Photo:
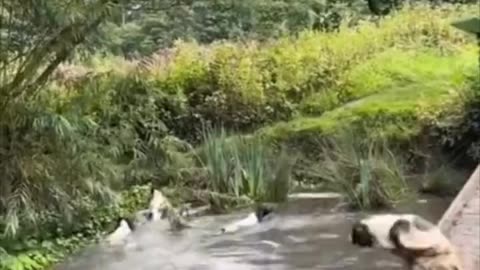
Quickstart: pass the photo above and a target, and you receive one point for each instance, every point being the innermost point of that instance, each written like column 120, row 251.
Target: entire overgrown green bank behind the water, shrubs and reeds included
column 353, row 105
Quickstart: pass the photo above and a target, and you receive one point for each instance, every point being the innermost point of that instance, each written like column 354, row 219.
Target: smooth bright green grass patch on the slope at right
column 389, row 93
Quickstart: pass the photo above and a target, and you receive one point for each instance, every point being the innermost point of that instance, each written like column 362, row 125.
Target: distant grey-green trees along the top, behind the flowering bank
column 144, row 27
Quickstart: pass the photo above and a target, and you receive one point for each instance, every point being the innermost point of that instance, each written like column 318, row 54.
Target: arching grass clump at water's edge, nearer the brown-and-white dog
column 365, row 171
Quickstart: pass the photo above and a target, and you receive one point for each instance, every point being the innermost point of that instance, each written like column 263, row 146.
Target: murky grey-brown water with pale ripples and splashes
column 292, row 240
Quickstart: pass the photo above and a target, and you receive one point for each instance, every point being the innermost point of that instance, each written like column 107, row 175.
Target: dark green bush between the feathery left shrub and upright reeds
column 131, row 113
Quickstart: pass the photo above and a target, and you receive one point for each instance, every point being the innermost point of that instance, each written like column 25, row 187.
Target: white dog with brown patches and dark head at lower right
column 419, row 243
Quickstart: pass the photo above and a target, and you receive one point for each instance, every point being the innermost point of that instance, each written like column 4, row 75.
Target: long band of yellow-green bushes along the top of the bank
column 243, row 86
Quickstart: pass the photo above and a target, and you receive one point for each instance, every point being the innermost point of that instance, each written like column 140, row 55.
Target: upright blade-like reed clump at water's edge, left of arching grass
column 245, row 167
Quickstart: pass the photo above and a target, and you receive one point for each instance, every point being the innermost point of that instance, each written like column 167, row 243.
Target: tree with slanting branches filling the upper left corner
column 37, row 35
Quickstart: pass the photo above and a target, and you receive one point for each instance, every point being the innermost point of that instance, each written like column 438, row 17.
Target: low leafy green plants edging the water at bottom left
column 36, row 252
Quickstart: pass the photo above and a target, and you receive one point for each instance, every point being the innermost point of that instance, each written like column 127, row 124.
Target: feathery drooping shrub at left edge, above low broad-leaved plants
column 49, row 165
